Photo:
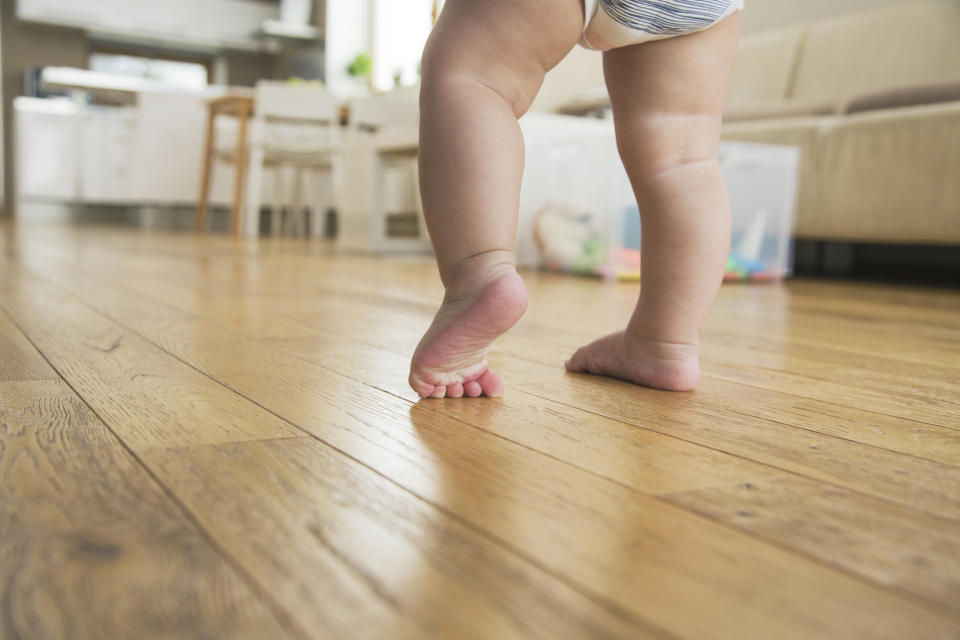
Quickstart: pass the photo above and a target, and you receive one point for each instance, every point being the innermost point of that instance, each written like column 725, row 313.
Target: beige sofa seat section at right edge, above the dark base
column 890, row 176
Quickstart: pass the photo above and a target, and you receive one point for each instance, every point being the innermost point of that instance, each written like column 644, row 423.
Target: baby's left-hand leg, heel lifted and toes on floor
column 482, row 67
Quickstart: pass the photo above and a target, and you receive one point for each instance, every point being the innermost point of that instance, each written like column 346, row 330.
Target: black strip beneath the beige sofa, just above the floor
column 937, row 265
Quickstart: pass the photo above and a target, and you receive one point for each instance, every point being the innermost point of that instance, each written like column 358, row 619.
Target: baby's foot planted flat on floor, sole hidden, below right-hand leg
column 652, row 363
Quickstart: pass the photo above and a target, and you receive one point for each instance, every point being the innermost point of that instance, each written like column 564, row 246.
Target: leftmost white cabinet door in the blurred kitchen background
column 47, row 156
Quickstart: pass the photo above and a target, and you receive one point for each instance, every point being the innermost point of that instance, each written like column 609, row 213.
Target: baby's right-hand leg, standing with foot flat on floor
column 667, row 98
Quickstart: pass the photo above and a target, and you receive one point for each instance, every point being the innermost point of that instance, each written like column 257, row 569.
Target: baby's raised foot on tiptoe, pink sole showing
column 451, row 359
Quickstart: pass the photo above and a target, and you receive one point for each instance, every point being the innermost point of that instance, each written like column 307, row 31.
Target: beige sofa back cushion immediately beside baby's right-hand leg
column 764, row 67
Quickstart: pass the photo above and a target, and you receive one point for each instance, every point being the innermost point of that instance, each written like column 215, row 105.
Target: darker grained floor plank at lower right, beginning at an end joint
column 912, row 552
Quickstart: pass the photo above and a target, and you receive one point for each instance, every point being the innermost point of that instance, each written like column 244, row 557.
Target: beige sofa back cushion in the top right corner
column 894, row 45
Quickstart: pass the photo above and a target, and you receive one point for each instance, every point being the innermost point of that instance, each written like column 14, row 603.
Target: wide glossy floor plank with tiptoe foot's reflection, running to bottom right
column 492, row 483
